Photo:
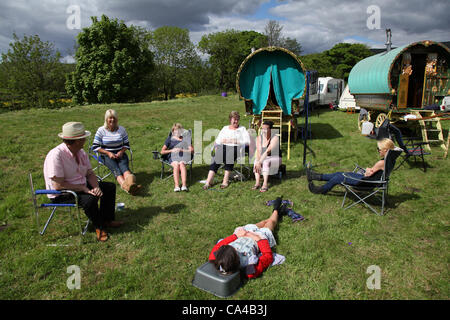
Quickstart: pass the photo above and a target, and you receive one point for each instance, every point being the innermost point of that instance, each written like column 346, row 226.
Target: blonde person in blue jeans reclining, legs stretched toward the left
column 373, row 174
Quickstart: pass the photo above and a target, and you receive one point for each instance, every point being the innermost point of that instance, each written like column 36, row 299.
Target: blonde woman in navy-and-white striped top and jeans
column 111, row 141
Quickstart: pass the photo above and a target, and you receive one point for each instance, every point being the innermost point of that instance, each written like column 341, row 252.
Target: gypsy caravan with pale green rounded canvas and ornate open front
column 406, row 81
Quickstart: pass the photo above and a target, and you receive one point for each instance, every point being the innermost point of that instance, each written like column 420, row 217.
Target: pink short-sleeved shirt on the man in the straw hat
column 61, row 163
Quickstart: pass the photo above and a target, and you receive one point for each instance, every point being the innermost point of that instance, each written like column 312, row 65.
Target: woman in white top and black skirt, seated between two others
column 228, row 146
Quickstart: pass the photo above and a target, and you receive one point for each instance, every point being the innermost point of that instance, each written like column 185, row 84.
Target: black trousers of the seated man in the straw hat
column 99, row 215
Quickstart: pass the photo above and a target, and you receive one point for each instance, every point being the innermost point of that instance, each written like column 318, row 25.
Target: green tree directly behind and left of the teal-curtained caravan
column 227, row 50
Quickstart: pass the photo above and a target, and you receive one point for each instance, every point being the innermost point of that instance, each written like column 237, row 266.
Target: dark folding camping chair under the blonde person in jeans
column 366, row 188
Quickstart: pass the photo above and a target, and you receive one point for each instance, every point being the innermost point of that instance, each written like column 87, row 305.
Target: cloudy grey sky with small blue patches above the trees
column 316, row 24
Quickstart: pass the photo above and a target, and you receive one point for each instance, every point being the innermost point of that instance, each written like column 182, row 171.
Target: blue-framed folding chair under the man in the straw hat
column 54, row 207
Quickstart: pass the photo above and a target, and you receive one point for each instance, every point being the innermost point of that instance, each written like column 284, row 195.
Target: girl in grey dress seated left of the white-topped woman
column 178, row 151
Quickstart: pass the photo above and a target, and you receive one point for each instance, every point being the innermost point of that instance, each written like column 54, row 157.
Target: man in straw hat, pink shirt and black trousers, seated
column 67, row 166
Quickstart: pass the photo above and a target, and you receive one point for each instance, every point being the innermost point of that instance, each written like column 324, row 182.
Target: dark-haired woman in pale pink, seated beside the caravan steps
column 268, row 156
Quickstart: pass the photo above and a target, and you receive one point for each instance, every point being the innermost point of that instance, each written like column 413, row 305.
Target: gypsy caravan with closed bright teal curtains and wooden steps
column 272, row 82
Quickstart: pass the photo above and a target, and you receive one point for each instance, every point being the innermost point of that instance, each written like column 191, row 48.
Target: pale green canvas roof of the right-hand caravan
column 373, row 74
